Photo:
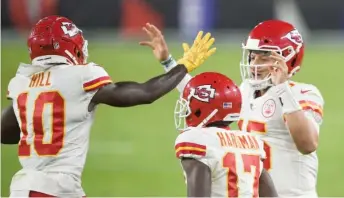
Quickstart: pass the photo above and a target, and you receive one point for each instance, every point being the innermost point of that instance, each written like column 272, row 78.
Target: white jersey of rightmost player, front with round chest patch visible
column 293, row 173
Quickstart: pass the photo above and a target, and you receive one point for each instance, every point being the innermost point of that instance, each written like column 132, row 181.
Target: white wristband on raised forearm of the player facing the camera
column 286, row 98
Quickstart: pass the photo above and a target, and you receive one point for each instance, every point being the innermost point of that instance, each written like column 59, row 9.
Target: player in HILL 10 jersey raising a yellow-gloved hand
column 54, row 99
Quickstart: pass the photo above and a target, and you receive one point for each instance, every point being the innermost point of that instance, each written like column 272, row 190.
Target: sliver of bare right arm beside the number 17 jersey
column 266, row 185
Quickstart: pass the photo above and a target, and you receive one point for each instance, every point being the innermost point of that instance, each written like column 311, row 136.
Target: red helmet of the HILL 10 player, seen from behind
column 56, row 39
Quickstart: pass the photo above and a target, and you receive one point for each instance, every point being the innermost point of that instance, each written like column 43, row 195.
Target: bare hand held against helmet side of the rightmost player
column 279, row 70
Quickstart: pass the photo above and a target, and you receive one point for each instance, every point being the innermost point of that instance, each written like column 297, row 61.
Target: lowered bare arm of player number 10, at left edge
column 10, row 131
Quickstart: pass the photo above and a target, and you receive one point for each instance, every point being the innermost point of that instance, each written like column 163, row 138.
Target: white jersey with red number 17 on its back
column 234, row 158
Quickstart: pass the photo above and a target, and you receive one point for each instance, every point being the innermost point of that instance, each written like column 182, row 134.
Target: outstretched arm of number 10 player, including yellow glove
column 126, row 94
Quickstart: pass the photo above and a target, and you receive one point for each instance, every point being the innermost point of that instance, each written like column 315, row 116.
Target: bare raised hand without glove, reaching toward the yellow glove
column 156, row 42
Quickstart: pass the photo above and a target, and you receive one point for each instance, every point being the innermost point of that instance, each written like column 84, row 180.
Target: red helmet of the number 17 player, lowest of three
column 208, row 97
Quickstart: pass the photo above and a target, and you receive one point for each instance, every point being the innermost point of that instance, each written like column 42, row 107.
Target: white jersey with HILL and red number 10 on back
column 51, row 106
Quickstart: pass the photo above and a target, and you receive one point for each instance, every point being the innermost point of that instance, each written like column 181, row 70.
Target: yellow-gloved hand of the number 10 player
column 200, row 51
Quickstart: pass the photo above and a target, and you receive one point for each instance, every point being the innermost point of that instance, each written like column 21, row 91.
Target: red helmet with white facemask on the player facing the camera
column 272, row 35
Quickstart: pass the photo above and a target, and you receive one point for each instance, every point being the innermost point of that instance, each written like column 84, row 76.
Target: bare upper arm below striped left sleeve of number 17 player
column 198, row 177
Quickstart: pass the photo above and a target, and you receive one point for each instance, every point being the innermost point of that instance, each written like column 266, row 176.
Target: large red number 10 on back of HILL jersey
column 57, row 125
